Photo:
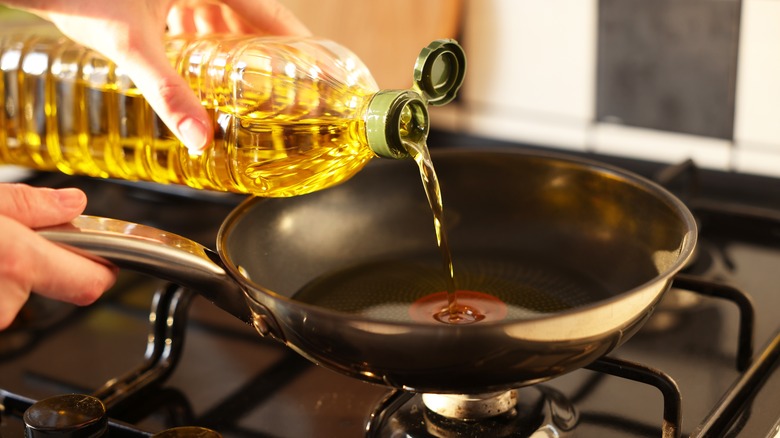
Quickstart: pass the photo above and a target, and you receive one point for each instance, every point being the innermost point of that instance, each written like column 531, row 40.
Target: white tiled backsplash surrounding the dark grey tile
column 531, row 79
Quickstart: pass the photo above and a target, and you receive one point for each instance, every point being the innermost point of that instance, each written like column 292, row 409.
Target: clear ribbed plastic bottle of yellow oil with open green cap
column 291, row 115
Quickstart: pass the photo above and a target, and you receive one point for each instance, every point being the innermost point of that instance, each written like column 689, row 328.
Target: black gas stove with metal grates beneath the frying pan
column 162, row 361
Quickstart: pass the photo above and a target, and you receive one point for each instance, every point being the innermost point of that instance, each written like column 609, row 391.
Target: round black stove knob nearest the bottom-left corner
column 66, row 416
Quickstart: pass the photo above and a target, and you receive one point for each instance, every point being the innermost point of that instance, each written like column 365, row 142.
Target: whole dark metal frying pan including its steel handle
column 581, row 250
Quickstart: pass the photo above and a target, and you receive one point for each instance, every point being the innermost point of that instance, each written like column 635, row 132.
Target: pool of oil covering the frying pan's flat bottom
column 413, row 289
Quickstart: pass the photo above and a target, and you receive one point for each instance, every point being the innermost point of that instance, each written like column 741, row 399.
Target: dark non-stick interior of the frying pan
column 543, row 233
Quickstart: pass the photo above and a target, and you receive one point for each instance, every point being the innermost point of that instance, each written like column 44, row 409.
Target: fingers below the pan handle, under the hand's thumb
column 28, row 262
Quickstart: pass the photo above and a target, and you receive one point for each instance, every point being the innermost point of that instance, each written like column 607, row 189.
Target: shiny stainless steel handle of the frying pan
column 154, row 252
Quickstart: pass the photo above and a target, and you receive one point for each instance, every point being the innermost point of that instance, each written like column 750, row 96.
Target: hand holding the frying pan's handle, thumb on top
column 29, row 262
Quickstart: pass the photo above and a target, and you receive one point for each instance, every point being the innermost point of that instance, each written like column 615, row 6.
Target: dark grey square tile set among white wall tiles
column 668, row 64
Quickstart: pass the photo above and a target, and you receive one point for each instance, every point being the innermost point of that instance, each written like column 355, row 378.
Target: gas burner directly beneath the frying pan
column 527, row 412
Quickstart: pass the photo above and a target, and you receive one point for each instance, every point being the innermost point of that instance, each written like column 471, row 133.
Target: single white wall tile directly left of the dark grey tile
column 531, row 58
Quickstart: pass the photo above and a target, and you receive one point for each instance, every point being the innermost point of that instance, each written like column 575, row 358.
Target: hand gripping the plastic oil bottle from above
column 130, row 33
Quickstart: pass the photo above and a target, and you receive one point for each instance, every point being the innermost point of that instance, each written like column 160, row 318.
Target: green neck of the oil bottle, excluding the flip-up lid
column 393, row 119
